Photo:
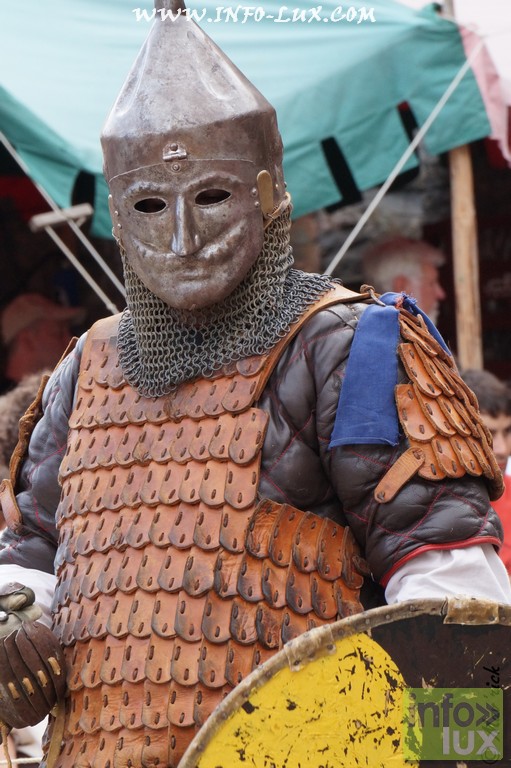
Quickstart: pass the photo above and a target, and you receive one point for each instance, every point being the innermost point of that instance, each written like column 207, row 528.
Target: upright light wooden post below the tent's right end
column 465, row 260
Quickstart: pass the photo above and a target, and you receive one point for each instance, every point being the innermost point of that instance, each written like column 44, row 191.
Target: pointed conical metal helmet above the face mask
column 184, row 100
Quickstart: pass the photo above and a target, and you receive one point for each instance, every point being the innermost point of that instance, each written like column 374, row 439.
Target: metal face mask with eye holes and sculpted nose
column 191, row 230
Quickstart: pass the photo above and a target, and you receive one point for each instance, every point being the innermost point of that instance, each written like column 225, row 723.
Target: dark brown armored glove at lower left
column 32, row 675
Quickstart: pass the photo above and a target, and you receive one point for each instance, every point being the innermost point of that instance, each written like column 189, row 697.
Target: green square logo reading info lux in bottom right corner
column 453, row 724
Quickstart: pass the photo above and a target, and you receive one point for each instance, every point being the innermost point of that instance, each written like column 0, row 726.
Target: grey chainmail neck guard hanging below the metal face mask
column 161, row 347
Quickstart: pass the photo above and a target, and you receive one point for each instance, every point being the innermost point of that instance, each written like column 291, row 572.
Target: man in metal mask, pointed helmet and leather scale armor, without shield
column 217, row 470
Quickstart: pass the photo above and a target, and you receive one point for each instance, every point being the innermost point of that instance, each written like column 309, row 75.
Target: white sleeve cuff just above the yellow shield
column 475, row 571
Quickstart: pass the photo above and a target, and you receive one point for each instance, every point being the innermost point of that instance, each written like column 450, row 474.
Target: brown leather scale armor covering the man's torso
column 174, row 580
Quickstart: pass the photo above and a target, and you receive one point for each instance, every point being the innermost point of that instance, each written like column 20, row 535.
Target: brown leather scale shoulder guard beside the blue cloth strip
column 439, row 415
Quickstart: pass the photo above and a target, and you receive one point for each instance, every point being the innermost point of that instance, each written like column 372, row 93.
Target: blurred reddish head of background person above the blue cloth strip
column 401, row 264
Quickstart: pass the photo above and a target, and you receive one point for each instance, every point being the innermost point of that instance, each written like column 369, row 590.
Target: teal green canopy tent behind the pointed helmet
column 337, row 85
